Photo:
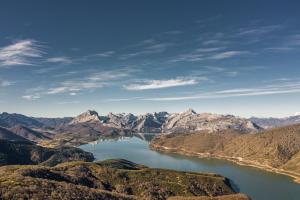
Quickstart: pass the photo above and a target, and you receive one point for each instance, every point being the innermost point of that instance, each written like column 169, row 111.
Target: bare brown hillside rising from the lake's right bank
column 275, row 149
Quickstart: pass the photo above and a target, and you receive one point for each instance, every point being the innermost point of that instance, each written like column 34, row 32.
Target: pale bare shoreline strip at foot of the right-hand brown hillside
column 237, row 160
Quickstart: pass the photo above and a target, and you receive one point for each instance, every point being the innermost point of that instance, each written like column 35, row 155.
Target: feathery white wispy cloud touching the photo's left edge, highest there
column 22, row 52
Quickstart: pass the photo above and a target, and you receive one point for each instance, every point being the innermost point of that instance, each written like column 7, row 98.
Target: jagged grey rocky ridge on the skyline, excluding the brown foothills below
column 158, row 122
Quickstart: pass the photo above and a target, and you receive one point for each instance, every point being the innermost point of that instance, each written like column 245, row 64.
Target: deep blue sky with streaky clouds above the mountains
column 60, row 58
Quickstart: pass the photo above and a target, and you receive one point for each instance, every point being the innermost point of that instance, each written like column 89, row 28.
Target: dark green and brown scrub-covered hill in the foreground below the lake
column 114, row 179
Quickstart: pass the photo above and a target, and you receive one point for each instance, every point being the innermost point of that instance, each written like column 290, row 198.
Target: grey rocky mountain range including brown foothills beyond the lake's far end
column 89, row 125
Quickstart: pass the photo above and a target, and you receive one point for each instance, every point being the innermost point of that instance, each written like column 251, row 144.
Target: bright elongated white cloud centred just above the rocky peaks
column 158, row 84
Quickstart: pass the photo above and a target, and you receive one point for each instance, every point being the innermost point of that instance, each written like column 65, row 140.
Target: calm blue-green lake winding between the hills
column 258, row 184
